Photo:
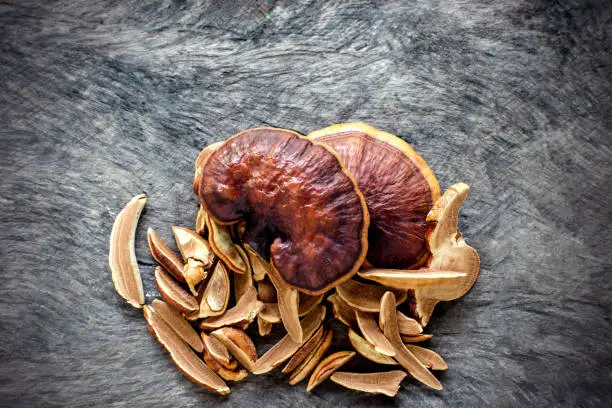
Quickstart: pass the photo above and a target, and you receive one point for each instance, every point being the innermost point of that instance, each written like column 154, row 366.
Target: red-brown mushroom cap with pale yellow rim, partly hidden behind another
column 399, row 188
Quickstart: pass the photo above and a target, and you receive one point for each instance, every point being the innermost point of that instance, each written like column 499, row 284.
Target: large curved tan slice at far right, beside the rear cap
column 449, row 252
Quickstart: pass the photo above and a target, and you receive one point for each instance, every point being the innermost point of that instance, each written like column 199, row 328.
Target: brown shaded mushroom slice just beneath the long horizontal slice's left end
column 365, row 297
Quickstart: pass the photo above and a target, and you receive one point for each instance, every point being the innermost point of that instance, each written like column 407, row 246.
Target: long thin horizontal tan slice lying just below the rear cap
column 411, row 279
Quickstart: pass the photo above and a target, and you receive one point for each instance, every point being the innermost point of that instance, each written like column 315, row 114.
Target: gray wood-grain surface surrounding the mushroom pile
column 103, row 100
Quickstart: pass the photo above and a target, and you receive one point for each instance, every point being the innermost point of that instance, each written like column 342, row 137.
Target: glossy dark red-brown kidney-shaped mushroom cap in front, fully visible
column 303, row 209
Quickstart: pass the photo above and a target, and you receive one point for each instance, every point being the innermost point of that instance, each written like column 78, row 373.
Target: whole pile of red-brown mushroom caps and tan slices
column 348, row 218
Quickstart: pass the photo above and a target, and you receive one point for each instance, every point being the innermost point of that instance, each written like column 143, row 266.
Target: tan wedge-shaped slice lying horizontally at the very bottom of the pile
column 376, row 383
